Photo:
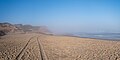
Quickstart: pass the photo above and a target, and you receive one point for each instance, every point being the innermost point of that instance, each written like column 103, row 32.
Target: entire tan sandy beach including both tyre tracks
column 46, row 47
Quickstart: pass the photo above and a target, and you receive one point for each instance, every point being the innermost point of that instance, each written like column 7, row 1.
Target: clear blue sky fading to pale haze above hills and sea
column 64, row 16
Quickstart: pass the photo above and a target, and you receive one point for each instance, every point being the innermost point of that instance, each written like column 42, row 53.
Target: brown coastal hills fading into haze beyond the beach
column 6, row 28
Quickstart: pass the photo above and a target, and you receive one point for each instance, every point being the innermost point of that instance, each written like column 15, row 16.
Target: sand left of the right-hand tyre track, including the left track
column 19, row 47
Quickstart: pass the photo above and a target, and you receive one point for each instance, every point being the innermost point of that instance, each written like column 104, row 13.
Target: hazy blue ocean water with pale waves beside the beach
column 106, row 36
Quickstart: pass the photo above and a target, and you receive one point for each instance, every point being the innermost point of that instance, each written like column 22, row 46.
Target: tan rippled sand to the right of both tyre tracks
column 72, row 48
